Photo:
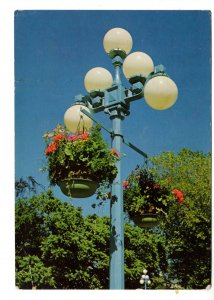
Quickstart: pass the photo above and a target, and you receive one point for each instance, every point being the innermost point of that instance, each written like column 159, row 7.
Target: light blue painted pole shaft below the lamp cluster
column 116, row 215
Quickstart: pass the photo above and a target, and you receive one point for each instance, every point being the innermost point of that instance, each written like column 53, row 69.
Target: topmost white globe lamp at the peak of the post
column 117, row 39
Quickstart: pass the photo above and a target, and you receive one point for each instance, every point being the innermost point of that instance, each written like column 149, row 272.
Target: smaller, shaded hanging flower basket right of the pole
column 145, row 201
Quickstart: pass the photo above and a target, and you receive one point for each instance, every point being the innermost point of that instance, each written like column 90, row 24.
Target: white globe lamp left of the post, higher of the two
column 97, row 79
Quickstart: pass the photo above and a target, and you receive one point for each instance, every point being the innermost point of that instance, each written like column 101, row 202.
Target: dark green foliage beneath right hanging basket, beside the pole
column 143, row 249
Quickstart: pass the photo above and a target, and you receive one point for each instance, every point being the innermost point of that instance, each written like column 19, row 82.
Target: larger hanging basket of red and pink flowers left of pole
column 79, row 163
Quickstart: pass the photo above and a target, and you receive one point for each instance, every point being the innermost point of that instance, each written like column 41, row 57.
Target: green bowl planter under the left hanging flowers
column 78, row 188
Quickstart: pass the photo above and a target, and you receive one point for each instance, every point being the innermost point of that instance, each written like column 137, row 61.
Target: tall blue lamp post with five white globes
column 109, row 95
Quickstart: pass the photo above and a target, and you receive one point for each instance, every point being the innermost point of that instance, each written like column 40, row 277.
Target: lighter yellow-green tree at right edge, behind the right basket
column 188, row 225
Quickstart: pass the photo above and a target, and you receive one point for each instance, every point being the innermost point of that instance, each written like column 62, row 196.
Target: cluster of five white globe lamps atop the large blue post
column 159, row 91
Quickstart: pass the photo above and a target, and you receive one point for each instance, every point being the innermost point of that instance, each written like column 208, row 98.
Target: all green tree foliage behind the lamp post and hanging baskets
column 57, row 248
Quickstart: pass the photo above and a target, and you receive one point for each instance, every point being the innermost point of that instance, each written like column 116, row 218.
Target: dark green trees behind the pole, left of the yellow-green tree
column 57, row 248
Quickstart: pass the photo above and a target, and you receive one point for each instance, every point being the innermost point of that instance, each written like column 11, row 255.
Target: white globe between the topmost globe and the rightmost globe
column 137, row 64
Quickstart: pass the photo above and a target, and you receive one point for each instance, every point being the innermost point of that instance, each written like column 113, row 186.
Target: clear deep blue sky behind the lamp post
column 55, row 49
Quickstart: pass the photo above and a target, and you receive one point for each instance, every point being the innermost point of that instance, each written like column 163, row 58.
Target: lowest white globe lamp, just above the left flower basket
column 75, row 120
